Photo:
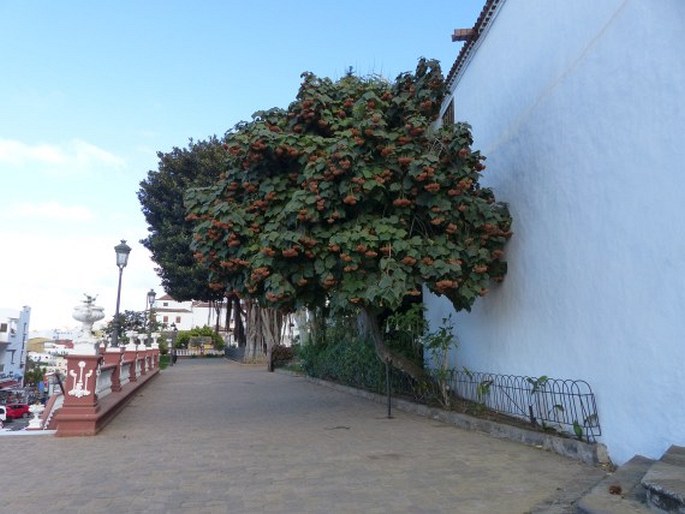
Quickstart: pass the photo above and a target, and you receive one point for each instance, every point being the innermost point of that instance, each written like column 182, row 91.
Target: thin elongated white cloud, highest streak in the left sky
column 75, row 157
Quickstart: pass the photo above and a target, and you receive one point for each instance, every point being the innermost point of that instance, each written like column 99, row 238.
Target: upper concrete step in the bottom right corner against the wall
column 664, row 482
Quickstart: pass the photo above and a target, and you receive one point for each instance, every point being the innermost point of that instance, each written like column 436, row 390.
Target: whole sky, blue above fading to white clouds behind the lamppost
column 90, row 91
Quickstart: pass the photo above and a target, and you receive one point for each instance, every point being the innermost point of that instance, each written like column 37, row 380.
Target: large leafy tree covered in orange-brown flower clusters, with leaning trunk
column 349, row 197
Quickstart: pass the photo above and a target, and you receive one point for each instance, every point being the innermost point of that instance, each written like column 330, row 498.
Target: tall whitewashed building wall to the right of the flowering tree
column 579, row 107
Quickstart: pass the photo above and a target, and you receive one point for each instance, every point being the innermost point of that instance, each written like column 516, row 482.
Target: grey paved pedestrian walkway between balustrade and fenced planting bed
column 213, row 436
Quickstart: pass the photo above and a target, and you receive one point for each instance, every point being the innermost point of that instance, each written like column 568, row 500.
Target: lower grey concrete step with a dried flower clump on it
column 621, row 492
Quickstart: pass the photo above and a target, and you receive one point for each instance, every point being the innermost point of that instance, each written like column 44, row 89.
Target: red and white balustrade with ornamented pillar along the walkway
column 98, row 384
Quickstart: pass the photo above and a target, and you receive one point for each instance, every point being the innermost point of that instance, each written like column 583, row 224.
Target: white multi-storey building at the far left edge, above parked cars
column 14, row 334
